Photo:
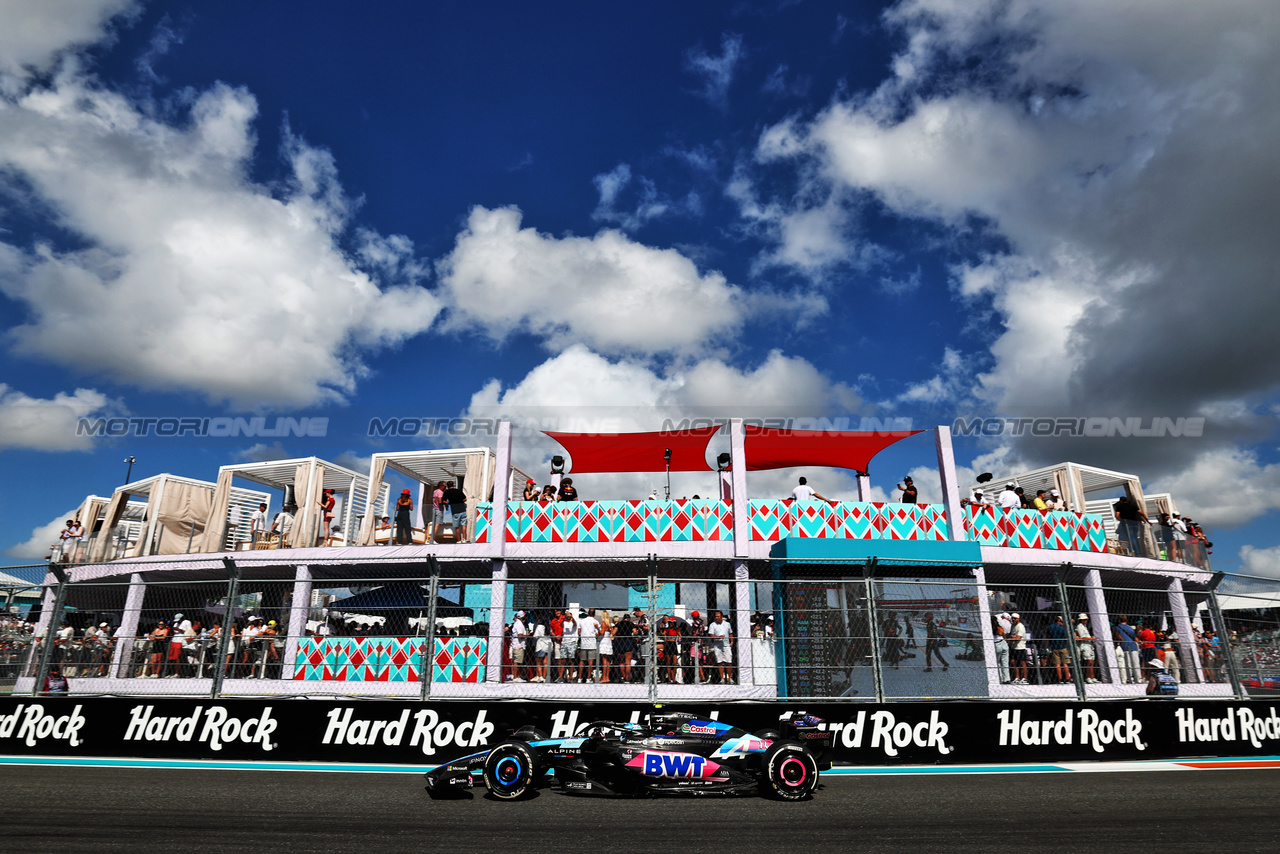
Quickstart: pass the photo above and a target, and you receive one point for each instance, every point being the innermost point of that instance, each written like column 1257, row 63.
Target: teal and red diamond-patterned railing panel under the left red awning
column 620, row 522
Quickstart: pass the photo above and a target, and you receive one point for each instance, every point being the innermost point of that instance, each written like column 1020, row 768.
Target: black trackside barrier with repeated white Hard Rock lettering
column 431, row 734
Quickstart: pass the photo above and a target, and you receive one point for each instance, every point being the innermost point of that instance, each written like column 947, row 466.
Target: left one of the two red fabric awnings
column 607, row 453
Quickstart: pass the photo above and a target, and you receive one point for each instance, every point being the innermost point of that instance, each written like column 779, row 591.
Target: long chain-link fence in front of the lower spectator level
column 660, row 631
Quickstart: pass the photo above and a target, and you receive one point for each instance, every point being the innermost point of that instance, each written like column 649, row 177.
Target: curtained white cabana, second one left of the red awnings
column 303, row 479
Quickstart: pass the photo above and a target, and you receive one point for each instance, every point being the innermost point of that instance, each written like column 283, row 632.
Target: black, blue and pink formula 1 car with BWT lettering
column 670, row 755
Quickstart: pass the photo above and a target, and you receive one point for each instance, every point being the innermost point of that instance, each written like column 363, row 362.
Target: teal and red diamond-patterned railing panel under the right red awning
column 779, row 518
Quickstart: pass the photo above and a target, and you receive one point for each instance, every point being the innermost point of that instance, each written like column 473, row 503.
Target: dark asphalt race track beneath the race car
column 172, row 811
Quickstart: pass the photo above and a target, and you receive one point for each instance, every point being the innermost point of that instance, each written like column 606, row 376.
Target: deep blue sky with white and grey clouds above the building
column 917, row 211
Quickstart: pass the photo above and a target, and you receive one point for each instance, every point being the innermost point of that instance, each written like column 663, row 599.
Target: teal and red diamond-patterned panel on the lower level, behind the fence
column 388, row 660
